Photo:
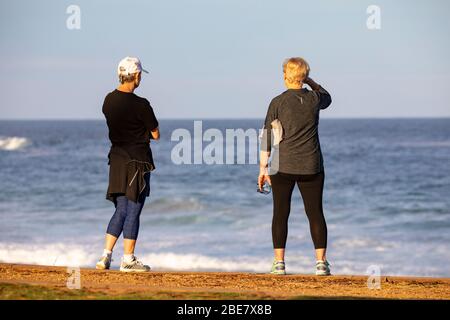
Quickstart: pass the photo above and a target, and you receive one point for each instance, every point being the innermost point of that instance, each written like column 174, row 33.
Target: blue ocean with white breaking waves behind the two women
column 386, row 200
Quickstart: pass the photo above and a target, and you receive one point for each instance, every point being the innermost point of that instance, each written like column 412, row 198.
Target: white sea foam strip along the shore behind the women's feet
column 63, row 254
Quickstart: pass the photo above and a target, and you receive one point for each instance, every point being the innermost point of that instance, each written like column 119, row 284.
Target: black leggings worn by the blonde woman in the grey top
column 311, row 189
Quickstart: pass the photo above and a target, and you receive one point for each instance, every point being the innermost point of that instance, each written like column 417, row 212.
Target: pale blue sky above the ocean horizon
column 222, row 59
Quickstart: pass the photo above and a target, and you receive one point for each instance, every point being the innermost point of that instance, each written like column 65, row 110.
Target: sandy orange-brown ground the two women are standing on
column 97, row 284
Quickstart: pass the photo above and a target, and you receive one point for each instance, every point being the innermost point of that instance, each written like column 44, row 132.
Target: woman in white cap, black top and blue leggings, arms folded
column 131, row 123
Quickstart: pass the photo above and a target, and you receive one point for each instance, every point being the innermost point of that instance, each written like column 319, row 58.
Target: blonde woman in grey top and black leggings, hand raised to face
column 298, row 159
